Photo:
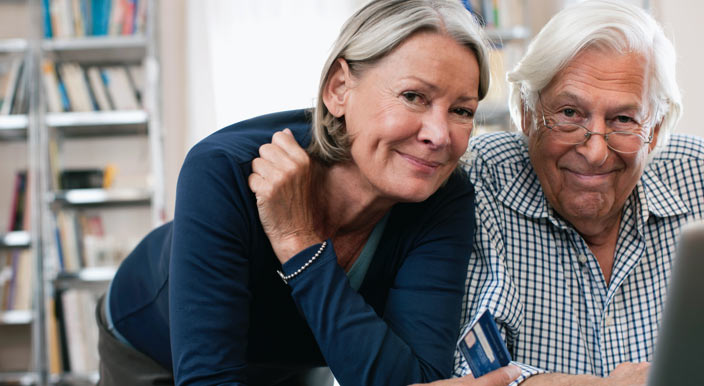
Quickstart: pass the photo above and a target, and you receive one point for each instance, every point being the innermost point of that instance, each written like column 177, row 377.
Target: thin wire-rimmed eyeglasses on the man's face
column 627, row 140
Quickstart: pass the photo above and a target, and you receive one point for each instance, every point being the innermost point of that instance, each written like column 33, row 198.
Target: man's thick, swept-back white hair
column 604, row 24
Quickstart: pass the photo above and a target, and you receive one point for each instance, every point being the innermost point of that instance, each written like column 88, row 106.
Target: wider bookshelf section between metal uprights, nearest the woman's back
column 92, row 227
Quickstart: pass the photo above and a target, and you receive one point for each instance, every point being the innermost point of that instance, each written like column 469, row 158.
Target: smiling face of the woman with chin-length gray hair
column 410, row 116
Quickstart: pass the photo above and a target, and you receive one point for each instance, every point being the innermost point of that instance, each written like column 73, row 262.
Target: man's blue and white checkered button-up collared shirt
column 535, row 273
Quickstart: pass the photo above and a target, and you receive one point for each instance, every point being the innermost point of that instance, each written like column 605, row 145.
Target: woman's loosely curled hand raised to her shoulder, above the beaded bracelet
column 281, row 181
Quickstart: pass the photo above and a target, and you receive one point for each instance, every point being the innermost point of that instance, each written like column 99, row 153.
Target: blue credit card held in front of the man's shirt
column 483, row 347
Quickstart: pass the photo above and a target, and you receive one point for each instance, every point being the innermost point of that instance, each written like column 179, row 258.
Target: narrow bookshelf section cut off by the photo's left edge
column 19, row 327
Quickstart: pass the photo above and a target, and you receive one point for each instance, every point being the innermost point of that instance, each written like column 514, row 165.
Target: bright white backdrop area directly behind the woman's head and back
column 254, row 57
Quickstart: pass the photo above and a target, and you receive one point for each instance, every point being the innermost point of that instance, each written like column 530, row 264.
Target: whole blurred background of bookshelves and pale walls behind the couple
column 100, row 101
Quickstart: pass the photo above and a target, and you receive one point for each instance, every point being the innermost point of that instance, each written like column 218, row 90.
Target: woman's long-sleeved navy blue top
column 201, row 295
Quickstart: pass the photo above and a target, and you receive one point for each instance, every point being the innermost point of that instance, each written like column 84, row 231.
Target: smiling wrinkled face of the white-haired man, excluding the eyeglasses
column 589, row 183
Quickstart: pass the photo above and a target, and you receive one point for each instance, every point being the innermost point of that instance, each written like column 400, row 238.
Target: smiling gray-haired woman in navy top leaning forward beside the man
column 362, row 213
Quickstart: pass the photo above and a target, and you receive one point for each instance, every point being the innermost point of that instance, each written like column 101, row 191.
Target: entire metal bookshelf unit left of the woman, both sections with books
column 119, row 137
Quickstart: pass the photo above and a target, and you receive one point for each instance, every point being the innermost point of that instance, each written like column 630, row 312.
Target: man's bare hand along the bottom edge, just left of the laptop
column 625, row 374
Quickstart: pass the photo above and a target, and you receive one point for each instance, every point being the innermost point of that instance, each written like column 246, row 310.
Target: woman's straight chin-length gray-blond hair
column 371, row 34
